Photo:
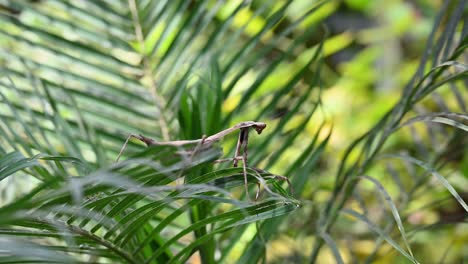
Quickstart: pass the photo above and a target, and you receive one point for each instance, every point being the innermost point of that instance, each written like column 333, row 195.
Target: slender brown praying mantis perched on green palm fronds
column 240, row 153
